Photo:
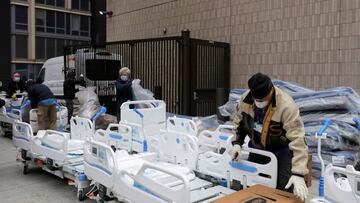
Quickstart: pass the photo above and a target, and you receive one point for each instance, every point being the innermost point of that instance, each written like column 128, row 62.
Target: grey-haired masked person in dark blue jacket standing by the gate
column 123, row 89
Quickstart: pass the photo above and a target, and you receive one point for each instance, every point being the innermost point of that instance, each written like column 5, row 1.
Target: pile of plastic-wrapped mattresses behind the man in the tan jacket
column 340, row 104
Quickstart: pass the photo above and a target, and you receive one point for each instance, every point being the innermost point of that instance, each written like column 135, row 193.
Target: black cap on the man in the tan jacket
column 260, row 85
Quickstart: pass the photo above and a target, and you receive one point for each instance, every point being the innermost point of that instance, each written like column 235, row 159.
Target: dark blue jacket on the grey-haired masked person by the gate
column 123, row 92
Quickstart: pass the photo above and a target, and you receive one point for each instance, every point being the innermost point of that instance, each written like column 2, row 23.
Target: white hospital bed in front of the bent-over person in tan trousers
column 58, row 153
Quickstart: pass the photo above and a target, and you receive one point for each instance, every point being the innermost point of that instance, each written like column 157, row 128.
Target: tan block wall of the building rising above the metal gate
column 312, row 42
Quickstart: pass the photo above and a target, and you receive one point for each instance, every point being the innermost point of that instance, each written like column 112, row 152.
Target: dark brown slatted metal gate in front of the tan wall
column 183, row 72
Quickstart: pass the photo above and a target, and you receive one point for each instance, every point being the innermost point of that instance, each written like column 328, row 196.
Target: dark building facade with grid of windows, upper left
column 39, row 29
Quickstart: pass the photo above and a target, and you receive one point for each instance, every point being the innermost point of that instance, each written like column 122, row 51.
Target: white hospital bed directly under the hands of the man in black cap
column 214, row 157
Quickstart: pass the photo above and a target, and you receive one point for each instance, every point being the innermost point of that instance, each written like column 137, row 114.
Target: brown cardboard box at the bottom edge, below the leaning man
column 259, row 194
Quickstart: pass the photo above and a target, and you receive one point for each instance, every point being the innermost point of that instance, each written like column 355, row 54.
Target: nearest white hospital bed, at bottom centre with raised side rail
column 147, row 177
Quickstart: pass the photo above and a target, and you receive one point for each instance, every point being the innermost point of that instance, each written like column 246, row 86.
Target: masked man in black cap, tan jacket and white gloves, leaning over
column 271, row 119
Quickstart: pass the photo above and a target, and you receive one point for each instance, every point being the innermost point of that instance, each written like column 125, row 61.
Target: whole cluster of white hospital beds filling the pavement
column 144, row 158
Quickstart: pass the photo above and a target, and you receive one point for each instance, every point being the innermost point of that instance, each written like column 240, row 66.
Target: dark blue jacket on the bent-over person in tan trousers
column 38, row 93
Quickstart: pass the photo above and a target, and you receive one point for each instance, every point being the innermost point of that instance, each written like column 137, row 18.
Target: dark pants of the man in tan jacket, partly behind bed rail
column 284, row 158
